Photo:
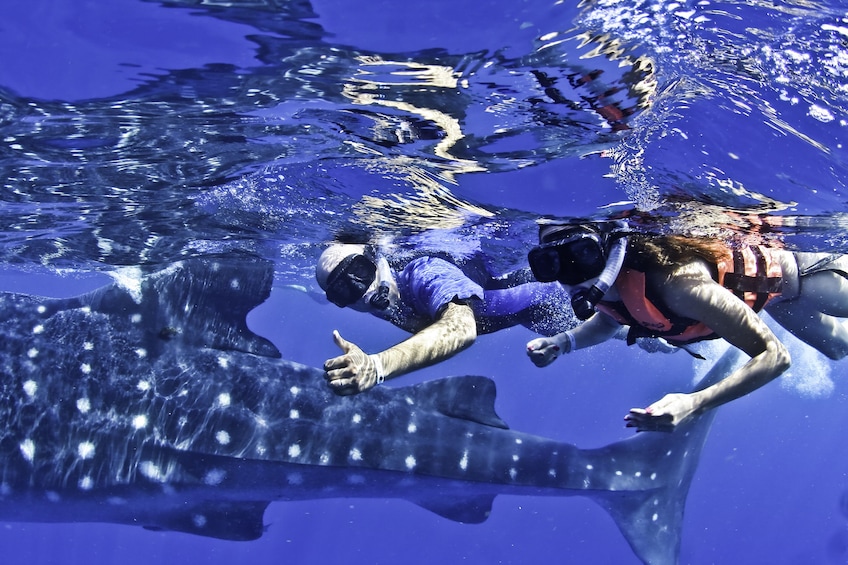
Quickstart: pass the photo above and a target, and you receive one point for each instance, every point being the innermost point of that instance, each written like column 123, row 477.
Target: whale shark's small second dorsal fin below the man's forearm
column 469, row 398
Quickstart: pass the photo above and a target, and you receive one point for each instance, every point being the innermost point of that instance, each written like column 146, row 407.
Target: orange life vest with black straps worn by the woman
column 752, row 273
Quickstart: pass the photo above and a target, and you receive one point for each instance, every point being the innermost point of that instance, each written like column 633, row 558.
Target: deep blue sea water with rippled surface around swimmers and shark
column 142, row 132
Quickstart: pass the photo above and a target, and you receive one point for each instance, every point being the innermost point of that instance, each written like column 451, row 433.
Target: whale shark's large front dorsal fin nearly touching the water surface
column 198, row 302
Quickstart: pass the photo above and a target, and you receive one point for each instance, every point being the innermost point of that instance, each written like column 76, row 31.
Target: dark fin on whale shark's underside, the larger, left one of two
column 233, row 521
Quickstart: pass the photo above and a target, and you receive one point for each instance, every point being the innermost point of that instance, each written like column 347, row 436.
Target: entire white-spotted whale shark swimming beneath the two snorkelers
column 155, row 405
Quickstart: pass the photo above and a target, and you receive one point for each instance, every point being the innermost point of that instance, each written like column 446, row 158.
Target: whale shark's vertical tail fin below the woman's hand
column 651, row 518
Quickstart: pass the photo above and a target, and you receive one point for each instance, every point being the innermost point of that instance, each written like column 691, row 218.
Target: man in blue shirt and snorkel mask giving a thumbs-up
column 440, row 304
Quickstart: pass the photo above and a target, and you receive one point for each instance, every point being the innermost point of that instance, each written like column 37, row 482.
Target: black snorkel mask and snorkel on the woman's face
column 574, row 254
